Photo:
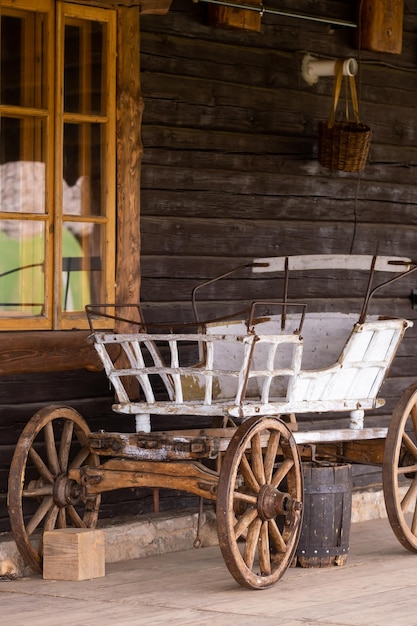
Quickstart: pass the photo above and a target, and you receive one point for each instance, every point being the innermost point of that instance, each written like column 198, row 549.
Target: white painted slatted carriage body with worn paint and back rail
column 336, row 364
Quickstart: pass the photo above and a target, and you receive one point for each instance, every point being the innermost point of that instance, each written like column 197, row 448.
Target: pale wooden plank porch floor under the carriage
column 376, row 587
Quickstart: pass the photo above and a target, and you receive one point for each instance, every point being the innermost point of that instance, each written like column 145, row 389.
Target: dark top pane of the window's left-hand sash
column 22, row 73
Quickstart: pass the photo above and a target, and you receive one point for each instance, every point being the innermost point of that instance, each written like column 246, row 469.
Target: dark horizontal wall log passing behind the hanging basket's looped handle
column 258, row 109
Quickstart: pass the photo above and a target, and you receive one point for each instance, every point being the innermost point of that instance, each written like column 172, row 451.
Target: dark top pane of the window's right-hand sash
column 83, row 66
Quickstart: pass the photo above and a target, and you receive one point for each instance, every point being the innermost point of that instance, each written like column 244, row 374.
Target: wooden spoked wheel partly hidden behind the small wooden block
column 41, row 496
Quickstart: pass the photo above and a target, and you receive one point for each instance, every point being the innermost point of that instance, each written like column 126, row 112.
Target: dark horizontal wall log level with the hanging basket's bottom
column 236, row 177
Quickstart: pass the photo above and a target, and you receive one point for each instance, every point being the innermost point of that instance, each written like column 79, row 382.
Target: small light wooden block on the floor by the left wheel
column 73, row 554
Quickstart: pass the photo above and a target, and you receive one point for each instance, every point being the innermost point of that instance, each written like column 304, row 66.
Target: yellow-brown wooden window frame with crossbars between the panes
column 54, row 118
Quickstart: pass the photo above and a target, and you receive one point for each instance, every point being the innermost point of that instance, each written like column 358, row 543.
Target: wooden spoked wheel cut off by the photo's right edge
column 399, row 470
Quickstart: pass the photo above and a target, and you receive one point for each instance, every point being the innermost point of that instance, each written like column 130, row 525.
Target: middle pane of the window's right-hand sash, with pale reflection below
column 83, row 169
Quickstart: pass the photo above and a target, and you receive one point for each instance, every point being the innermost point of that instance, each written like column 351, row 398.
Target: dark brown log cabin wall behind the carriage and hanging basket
column 230, row 172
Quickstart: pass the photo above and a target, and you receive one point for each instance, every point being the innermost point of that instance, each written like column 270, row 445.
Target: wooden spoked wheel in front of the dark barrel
column 259, row 502
